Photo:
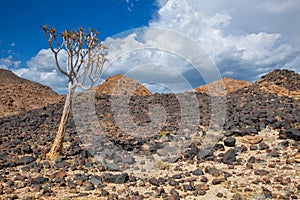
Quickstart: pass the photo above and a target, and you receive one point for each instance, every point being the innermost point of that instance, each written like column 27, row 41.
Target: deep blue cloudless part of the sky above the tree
column 20, row 20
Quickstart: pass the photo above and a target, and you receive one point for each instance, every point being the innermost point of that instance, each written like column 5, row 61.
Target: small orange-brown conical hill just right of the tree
column 122, row 85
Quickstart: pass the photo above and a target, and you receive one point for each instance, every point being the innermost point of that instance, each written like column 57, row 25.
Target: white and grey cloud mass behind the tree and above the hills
column 245, row 40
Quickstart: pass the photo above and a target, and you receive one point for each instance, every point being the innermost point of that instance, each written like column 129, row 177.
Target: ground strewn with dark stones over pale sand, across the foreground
column 257, row 155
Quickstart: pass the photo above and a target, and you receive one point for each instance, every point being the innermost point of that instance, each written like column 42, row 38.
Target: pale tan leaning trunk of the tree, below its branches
column 57, row 145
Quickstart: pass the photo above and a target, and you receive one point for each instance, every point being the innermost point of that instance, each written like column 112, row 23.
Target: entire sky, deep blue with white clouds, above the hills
column 242, row 40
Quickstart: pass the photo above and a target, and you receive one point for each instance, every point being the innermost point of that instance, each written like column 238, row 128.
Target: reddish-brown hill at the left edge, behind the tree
column 19, row 95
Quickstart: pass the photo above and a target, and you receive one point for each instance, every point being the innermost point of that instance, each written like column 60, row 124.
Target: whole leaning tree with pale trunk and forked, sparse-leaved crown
column 86, row 57
